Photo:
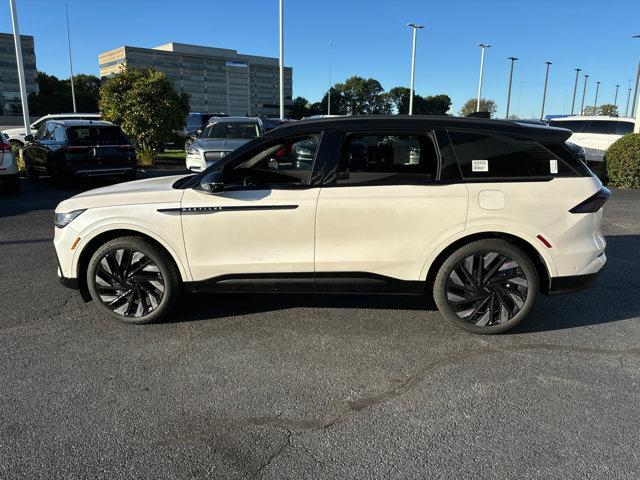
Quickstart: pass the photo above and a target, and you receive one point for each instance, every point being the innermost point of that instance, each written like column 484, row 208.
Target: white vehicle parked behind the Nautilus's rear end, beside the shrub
column 595, row 134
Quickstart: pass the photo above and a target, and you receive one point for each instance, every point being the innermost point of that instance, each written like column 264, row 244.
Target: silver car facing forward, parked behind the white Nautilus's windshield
column 221, row 136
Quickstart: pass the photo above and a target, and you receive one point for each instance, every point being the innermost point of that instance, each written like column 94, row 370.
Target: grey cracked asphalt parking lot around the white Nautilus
column 313, row 387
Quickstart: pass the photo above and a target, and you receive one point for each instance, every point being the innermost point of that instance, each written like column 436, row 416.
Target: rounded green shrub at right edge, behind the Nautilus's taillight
column 622, row 161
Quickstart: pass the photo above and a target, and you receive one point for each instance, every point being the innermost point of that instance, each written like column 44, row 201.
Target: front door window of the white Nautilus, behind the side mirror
column 288, row 163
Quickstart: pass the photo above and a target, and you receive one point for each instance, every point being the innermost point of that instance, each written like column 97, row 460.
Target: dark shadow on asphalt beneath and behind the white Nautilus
column 615, row 296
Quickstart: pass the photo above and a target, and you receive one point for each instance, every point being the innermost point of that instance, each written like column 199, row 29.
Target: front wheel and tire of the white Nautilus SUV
column 154, row 288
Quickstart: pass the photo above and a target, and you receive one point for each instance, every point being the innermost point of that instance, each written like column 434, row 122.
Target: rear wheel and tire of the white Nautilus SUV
column 487, row 300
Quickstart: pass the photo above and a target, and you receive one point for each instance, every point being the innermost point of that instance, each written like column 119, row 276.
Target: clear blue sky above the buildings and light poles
column 370, row 40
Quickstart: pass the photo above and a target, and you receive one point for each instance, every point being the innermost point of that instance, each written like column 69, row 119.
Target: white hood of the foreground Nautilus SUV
column 151, row 190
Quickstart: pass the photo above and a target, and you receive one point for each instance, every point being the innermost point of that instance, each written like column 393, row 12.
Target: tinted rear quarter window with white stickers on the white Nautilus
column 497, row 156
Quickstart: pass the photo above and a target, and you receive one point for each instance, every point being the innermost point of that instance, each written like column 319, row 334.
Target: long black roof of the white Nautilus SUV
column 411, row 122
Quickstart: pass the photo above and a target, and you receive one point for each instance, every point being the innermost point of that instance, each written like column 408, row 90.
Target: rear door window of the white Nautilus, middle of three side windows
column 386, row 159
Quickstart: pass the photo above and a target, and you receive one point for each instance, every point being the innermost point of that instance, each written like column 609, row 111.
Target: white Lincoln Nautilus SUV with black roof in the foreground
column 482, row 213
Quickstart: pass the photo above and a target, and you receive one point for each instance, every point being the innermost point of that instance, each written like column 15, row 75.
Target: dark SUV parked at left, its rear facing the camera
column 80, row 148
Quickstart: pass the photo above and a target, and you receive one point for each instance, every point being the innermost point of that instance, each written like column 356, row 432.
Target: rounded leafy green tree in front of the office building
column 145, row 105
